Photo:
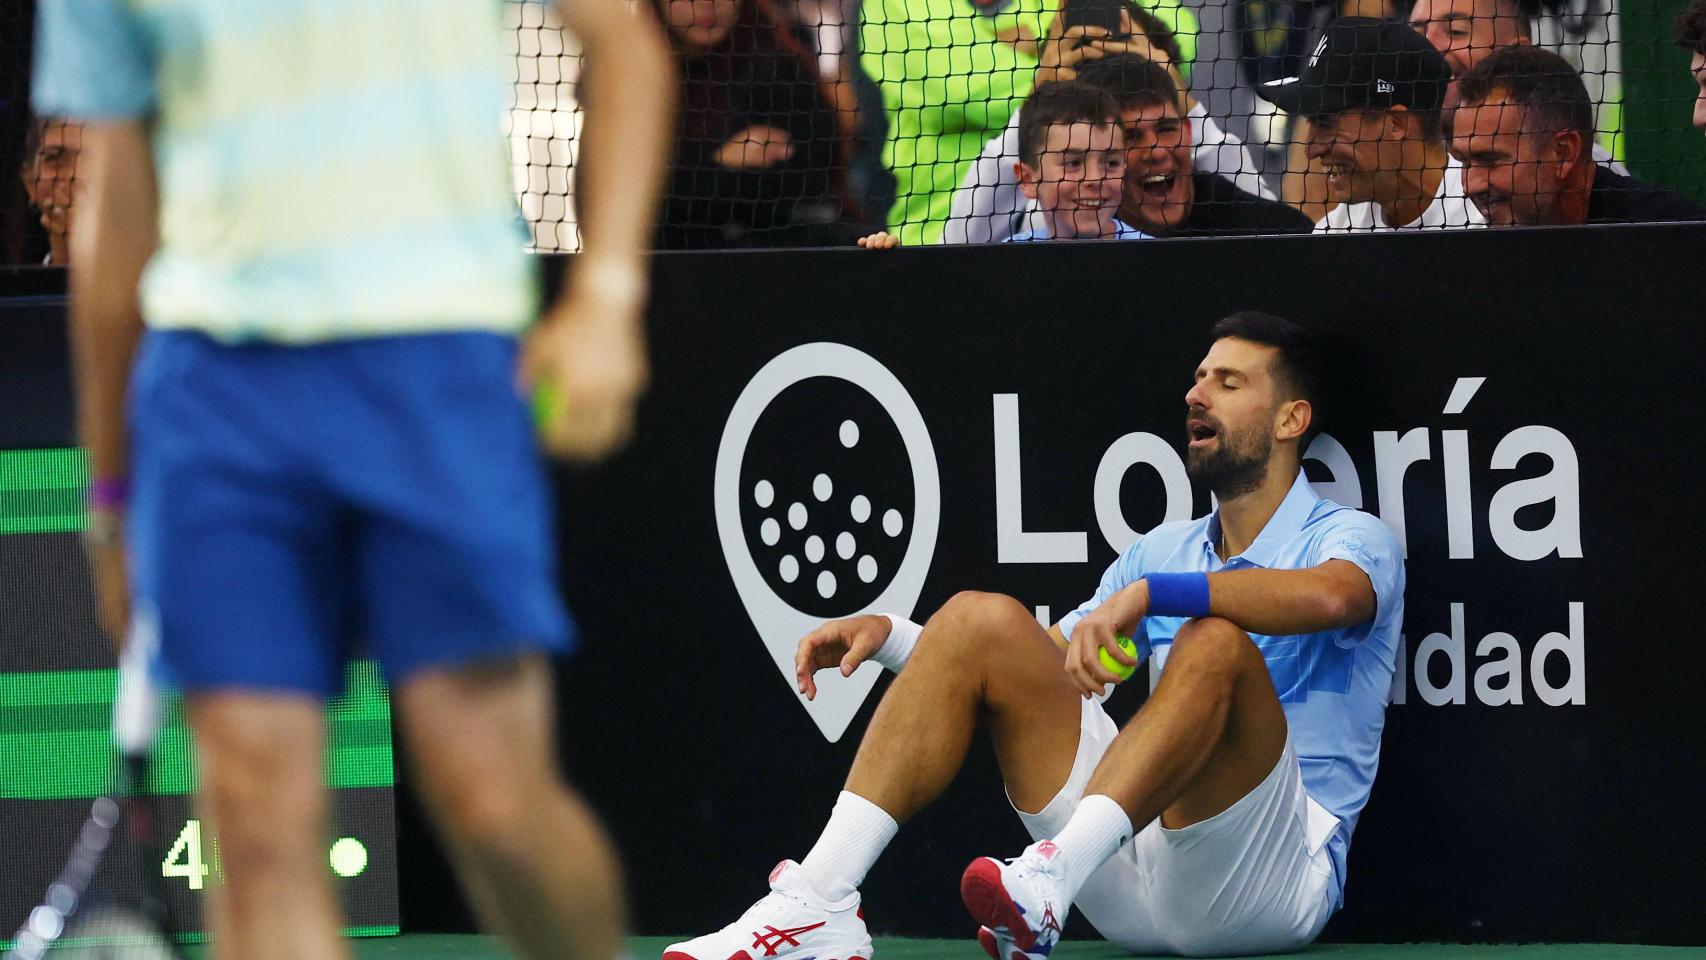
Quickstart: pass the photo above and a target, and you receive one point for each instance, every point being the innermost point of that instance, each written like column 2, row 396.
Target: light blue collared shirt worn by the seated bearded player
column 1333, row 685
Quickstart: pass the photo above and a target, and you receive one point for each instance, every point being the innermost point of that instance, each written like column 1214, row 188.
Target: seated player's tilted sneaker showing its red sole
column 1021, row 903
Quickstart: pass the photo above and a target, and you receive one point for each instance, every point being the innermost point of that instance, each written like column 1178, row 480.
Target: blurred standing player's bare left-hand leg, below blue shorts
column 262, row 761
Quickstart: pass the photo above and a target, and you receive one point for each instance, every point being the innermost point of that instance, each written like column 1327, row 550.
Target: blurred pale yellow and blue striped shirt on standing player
column 327, row 168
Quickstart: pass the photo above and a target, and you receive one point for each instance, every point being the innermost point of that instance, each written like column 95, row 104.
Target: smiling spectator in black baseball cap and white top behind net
column 1372, row 93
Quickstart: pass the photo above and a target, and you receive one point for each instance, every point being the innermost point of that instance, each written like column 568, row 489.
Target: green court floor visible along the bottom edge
column 450, row 947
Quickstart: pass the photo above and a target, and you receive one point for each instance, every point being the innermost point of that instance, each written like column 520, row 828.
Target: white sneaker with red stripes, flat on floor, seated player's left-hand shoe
column 791, row 923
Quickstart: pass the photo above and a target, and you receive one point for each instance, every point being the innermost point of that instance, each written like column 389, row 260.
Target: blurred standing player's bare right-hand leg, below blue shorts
column 533, row 857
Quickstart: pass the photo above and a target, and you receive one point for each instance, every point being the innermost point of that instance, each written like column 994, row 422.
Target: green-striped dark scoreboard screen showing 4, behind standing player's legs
column 57, row 685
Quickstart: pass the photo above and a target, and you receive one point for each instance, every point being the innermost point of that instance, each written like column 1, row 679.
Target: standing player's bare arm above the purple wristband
column 113, row 236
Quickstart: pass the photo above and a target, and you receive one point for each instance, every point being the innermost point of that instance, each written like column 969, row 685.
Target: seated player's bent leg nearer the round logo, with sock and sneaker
column 982, row 656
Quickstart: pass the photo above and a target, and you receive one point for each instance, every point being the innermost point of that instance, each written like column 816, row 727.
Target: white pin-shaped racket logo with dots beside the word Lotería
column 820, row 444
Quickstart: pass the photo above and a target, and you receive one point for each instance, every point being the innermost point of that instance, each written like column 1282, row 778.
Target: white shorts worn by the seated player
column 1255, row 879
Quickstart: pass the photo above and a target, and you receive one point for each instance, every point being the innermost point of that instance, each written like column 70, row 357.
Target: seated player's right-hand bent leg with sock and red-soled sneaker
column 1209, row 736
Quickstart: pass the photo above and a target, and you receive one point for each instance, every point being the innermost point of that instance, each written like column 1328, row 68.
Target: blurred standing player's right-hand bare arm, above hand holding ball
column 630, row 105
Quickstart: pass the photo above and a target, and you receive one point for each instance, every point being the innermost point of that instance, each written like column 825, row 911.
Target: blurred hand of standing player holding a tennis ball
column 589, row 354
